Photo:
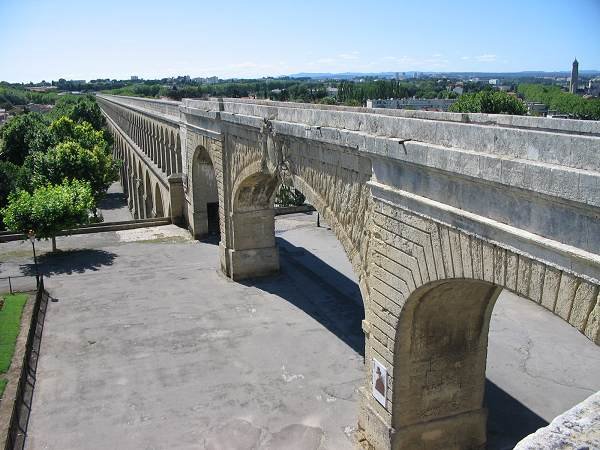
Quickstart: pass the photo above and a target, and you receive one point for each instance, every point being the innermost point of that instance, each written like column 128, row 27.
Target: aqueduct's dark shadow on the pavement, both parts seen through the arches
column 334, row 301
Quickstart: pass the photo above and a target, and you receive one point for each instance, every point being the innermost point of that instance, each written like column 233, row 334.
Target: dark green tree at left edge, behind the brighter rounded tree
column 22, row 135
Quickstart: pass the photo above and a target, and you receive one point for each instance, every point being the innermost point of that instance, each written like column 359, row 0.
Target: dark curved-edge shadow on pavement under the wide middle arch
column 318, row 289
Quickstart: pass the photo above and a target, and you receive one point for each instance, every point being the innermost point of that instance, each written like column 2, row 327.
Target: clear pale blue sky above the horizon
column 48, row 39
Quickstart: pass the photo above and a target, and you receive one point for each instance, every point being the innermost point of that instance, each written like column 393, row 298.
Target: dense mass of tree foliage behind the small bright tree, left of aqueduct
column 37, row 153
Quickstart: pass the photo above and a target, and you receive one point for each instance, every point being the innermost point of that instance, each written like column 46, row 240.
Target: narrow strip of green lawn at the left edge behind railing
column 10, row 324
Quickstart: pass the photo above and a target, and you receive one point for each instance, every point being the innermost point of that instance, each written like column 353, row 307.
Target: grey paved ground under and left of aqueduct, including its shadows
column 149, row 347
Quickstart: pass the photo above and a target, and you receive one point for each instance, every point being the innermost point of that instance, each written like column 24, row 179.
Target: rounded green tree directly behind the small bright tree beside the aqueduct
column 70, row 160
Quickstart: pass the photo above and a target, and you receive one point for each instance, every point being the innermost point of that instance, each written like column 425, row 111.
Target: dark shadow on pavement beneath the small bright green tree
column 70, row 261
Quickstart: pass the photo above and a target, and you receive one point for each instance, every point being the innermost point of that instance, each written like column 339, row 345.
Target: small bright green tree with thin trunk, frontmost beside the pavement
column 50, row 209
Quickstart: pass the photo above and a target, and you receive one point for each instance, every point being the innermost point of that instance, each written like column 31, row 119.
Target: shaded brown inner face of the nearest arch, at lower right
column 440, row 360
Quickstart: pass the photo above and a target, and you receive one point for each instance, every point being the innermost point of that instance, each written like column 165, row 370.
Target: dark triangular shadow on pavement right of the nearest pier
column 509, row 420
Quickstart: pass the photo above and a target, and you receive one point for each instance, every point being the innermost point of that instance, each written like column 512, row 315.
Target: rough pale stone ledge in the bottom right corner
column 578, row 428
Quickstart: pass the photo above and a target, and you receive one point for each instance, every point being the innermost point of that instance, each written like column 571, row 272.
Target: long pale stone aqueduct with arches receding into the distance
column 438, row 212
